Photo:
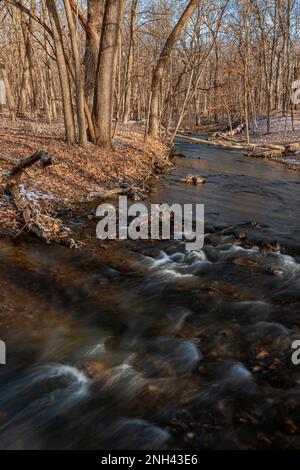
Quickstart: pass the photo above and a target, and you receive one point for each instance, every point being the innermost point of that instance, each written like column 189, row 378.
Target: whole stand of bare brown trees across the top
column 164, row 63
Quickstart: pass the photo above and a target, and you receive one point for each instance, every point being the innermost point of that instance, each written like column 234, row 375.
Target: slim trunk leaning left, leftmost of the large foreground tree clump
column 63, row 73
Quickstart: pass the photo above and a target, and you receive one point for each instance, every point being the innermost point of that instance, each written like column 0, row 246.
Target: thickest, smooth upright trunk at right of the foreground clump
column 106, row 72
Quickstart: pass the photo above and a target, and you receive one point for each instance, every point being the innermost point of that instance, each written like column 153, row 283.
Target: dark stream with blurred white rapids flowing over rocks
column 179, row 350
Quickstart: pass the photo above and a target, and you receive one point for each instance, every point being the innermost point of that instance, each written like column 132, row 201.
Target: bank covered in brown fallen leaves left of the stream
column 77, row 171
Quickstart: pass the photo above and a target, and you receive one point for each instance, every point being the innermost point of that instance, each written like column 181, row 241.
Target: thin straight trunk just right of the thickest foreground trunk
column 128, row 82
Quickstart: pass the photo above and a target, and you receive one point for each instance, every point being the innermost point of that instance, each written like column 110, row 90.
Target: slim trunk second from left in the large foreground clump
column 78, row 77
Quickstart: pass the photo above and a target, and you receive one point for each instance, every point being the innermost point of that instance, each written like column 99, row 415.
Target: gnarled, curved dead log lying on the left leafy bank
column 44, row 226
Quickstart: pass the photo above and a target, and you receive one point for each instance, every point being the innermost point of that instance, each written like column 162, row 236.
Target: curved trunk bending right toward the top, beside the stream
column 161, row 65
